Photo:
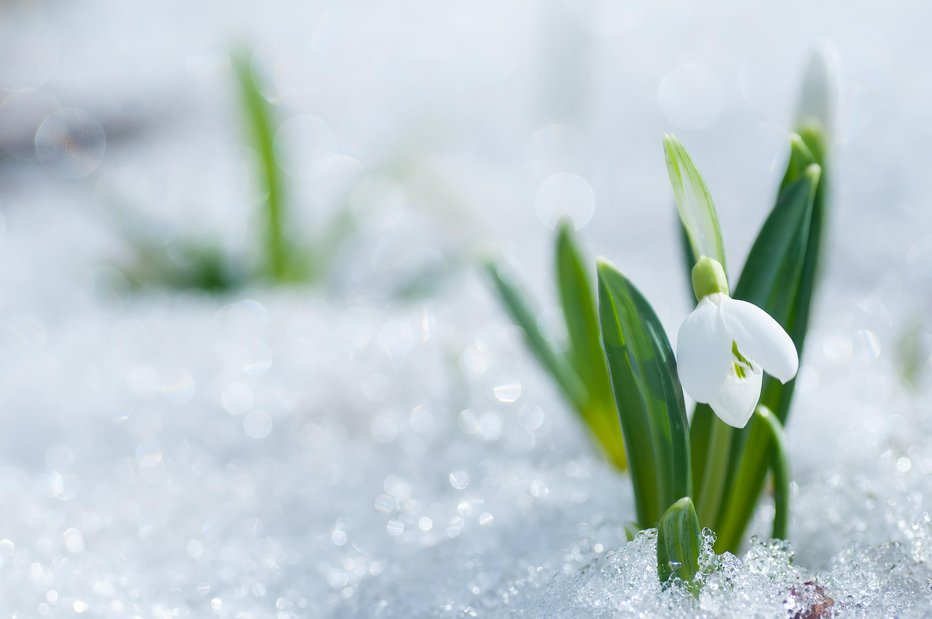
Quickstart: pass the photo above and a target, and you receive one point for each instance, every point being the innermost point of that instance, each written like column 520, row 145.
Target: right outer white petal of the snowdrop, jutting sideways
column 760, row 338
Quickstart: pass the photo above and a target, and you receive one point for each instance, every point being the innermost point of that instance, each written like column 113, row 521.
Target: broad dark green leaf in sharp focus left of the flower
column 648, row 396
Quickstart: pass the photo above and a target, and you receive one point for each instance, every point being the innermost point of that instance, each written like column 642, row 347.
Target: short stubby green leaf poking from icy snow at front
column 679, row 542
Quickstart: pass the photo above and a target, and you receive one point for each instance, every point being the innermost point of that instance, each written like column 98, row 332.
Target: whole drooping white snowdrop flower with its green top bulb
column 725, row 344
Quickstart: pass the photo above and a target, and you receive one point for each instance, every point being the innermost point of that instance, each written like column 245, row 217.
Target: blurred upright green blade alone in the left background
column 260, row 123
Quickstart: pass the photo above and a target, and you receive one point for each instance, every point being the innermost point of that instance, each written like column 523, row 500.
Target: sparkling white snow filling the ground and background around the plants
column 362, row 450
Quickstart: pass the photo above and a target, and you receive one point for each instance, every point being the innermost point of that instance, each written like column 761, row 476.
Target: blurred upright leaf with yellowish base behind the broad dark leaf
column 585, row 353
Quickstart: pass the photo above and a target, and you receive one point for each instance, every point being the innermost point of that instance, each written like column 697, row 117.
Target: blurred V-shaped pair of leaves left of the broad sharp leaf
column 580, row 372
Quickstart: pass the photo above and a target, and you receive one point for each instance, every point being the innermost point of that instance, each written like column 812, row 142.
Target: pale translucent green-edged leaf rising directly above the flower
column 693, row 203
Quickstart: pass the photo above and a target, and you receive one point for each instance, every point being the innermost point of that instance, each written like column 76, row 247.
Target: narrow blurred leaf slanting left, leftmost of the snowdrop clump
column 519, row 309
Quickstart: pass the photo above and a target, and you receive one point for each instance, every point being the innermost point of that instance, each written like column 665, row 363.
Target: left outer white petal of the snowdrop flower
column 703, row 352
